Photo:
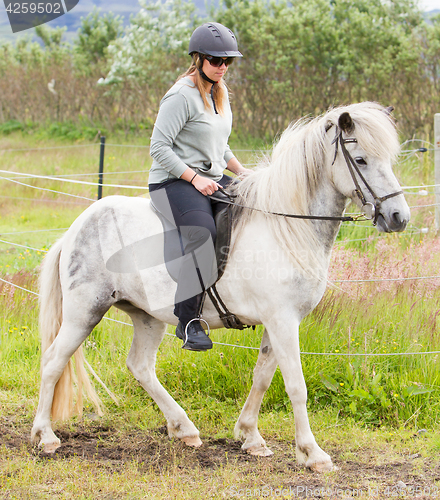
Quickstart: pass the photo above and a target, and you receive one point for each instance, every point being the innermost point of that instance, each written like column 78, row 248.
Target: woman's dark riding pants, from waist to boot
column 193, row 215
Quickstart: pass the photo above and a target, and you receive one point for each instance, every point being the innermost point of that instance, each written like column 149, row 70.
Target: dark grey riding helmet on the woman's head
column 214, row 39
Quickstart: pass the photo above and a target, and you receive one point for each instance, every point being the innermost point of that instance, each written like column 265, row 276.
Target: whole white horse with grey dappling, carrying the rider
column 276, row 273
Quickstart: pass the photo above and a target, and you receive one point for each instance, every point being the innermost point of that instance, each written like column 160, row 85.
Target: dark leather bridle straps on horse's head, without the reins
column 370, row 210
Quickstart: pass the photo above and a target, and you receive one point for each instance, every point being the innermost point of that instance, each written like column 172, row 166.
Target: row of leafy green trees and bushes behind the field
column 300, row 58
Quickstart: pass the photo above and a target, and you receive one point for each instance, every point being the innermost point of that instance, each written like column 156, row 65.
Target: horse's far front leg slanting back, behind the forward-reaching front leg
column 247, row 424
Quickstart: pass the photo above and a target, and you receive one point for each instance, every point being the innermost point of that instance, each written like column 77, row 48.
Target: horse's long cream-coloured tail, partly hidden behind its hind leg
column 51, row 318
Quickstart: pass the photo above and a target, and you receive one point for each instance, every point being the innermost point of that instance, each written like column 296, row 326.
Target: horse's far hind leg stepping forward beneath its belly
column 141, row 361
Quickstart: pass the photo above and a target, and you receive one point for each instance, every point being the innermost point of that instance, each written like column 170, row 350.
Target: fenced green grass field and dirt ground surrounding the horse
column 376, row 415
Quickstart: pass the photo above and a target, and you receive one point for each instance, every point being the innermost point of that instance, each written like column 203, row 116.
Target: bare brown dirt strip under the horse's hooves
column 364, row 473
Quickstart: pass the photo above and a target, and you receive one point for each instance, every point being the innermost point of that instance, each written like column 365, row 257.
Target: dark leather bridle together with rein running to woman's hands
column 371, row 211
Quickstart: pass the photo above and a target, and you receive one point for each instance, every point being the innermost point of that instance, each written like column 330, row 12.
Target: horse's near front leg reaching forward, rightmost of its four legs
column 284, row 337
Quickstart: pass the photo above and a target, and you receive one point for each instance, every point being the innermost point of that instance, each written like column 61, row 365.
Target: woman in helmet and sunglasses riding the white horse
column 189, row 146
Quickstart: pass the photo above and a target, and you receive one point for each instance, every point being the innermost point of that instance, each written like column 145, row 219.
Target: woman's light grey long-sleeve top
column 188, row 135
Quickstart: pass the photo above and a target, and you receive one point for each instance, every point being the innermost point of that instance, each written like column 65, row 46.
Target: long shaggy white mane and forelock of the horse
column 287, row 181
